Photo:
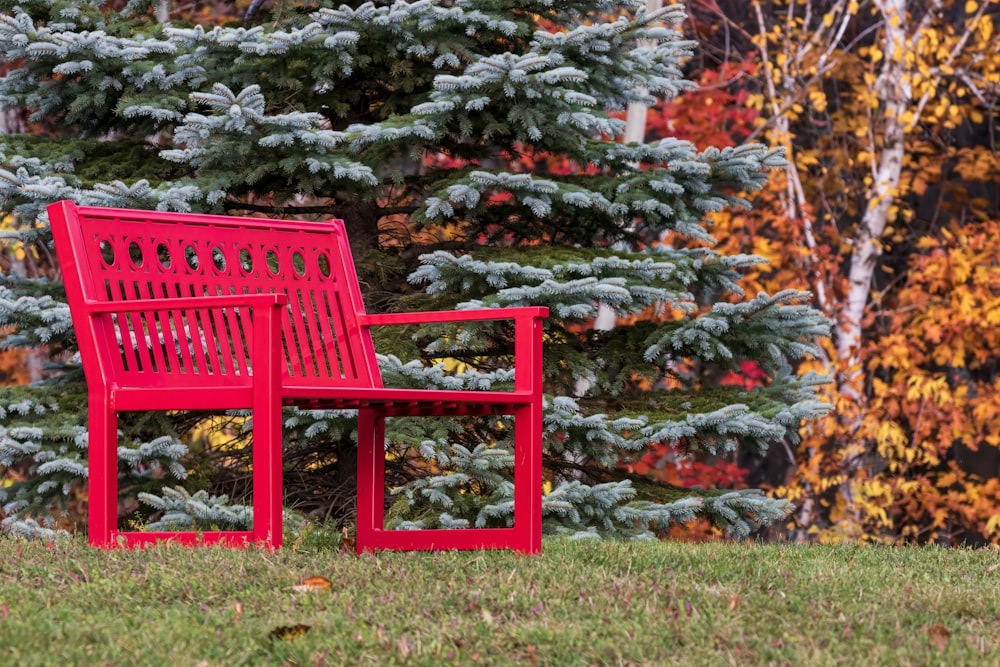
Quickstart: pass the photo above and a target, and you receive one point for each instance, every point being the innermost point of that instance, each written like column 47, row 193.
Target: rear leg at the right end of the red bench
column 371, row 479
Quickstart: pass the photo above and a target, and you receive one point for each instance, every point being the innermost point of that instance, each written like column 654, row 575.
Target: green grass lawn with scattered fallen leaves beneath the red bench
column 577, row 604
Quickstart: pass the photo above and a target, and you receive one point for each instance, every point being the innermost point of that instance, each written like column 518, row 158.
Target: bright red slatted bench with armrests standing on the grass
column 220, row 313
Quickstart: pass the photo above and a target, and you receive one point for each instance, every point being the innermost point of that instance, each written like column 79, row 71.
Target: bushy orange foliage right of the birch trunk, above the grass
column 934, row 412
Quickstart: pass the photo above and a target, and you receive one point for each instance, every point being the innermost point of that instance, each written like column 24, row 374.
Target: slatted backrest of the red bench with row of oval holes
column 121, row 255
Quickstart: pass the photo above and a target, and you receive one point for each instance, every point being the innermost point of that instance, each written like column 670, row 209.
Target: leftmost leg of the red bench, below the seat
column 102, row 458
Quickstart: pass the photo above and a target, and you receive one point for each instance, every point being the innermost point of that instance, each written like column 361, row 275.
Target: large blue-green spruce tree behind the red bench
column 470, row 146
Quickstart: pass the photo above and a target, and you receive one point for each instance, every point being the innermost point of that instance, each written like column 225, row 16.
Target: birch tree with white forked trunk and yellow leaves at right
column 870, row 100
